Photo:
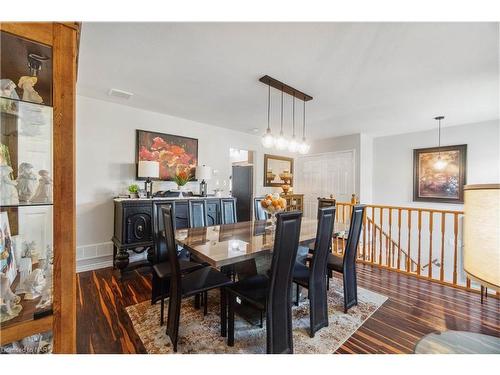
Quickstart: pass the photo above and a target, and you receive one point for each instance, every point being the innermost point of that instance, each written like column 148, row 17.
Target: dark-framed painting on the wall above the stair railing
column 439, row 174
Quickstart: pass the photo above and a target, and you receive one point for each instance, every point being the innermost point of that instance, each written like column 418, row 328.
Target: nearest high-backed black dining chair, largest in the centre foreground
column 272, row 294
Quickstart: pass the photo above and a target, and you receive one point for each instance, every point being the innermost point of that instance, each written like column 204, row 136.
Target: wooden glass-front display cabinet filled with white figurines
column 37, row 195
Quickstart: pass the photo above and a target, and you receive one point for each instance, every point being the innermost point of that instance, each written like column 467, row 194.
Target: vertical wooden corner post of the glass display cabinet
column 65, row 52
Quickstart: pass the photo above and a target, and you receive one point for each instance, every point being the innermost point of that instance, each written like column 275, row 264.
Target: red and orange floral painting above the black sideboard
column 174, row 153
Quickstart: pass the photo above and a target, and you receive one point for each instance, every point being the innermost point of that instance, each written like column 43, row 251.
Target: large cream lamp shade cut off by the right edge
column 482, row 234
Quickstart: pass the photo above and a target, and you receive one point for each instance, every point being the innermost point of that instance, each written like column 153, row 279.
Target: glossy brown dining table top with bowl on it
column 225, row 244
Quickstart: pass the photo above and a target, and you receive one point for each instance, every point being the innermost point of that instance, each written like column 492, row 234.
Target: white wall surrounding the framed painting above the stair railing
column 393, row 160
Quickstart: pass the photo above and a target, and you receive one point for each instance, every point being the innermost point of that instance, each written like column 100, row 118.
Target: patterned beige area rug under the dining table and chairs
column 201, row 334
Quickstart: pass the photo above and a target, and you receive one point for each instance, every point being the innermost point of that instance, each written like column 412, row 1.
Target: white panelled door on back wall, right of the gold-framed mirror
column 322, row 175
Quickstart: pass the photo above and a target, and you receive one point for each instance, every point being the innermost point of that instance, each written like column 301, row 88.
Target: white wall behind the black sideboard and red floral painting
column 106, row 144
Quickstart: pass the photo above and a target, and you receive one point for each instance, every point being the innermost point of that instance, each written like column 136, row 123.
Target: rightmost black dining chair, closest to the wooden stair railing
column 346, row 264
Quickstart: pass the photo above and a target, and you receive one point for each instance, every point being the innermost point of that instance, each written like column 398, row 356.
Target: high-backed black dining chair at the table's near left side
column 188, row 285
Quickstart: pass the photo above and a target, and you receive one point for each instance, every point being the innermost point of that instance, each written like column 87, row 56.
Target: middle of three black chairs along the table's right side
column 313, row 278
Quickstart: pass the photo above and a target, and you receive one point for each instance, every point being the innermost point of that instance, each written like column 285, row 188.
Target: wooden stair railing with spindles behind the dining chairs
column 422, row 242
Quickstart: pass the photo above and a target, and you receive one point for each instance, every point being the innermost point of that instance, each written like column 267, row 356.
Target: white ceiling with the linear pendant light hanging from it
column 375, row 78
